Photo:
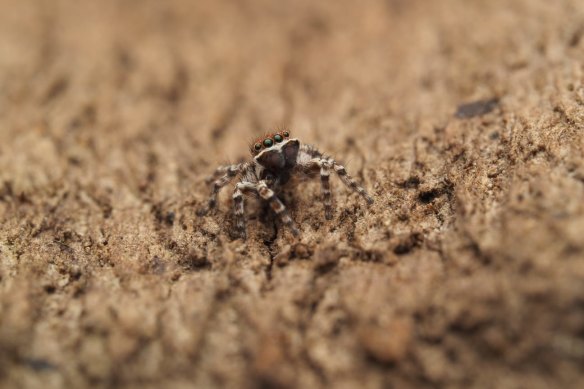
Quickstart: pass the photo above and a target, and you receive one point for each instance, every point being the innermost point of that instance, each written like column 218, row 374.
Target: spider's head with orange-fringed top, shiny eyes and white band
column 275, row 151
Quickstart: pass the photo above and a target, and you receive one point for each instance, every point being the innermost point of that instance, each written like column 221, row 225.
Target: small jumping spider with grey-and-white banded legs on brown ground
column 277, row 157
